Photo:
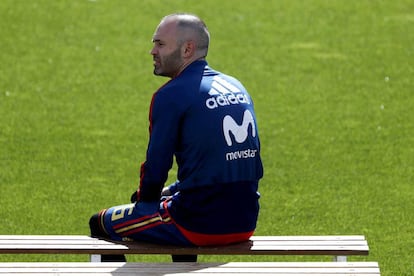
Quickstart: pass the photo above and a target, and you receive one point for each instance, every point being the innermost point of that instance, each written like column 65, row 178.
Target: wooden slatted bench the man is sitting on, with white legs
column 337, row 246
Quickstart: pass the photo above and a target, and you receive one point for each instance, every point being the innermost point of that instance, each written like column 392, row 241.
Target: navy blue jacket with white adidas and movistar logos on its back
column 206, row 120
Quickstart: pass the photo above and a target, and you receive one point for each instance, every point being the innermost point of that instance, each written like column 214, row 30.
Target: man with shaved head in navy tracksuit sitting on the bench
column 207, row 121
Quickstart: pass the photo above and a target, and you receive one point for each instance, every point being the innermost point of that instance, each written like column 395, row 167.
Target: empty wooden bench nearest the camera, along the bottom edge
column 198, row 269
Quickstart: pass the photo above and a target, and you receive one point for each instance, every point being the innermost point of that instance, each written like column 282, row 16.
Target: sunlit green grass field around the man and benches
column 332, row 83
